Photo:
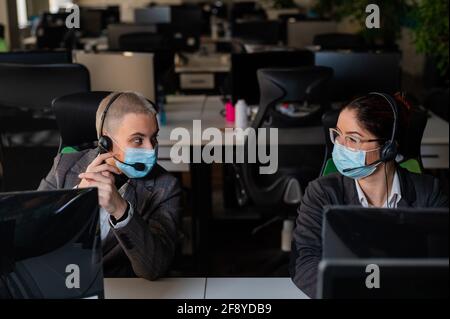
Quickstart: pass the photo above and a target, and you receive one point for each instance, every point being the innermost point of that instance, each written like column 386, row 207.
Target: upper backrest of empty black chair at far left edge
column 35, row 86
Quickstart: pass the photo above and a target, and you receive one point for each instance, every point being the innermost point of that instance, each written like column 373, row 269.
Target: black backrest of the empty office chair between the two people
column 303, row 86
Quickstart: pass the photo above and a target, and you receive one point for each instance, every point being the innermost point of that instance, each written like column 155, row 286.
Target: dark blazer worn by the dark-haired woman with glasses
column 336, row 189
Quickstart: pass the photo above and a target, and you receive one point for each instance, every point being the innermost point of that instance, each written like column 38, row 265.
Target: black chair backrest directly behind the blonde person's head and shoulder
column 75, row 116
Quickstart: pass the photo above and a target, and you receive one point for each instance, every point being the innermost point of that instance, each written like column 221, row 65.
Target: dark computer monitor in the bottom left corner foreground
column 50, row 245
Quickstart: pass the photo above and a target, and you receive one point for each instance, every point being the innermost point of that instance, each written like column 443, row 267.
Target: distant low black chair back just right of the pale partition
column 339, row 41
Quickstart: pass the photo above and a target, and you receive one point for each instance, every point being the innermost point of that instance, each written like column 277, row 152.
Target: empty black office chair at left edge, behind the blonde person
column 27, row 123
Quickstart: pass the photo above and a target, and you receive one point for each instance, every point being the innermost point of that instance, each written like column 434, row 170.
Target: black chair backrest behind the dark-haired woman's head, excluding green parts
column 411, row 148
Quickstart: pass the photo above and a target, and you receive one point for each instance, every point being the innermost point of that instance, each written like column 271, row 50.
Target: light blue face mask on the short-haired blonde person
column 138, row 155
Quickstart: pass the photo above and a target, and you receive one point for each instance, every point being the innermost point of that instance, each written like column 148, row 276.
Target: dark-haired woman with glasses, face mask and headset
column 367, row 140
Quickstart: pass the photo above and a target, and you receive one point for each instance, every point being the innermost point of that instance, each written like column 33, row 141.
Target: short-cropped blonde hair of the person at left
column 127, row 102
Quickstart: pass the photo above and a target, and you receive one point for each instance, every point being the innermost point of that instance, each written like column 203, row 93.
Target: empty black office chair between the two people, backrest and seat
column 307, row 86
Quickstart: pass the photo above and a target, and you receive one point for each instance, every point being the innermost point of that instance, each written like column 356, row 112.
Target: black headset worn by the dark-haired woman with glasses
column 389, row 150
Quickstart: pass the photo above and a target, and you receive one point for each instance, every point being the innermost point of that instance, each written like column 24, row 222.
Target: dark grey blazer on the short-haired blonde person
column 146, row 245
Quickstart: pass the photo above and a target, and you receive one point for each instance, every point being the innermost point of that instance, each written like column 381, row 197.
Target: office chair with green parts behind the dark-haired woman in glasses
column 412, row 159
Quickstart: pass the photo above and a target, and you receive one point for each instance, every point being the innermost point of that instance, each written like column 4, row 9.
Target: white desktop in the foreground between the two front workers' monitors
column 202, row 288
